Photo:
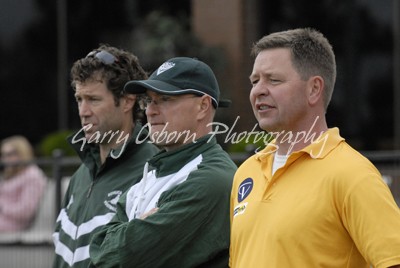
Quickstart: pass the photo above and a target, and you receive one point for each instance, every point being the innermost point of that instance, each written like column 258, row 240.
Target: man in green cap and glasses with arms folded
column 178, row 214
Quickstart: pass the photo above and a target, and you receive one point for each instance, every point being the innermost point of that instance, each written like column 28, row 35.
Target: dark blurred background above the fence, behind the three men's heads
column 40, row 39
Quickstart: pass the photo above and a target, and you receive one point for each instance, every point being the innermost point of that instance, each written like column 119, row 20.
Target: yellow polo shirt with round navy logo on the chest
column 326, row 207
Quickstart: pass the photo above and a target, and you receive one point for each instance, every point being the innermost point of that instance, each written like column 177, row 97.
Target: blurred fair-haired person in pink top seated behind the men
column 22, row 184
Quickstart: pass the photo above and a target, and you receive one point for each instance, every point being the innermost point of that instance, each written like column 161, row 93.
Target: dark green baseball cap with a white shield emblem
column 179, row 76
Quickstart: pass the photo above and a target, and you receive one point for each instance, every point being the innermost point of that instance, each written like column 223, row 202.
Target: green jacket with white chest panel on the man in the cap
column 191, row 227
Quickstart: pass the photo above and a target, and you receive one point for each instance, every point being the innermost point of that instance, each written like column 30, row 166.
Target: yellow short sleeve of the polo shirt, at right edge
column 372, row 218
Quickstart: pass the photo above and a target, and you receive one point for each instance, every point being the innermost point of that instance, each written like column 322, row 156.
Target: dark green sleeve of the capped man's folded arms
column 191, row 225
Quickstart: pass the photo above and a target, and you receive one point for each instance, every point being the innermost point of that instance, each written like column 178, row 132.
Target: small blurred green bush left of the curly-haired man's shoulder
column 56, row 140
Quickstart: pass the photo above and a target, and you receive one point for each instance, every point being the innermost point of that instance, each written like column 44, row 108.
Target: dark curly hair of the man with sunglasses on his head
column 124, row 67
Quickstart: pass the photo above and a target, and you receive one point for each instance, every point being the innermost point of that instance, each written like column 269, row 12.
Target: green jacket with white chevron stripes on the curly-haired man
column 92, row 194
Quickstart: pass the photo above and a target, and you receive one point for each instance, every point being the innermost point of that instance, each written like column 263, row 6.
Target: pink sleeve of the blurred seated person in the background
column 29, row 198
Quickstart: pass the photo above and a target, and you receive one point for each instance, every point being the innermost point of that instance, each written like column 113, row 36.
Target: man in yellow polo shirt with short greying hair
column 308, row 199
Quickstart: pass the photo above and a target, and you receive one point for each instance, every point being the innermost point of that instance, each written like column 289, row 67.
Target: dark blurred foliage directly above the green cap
column 160, row 37
